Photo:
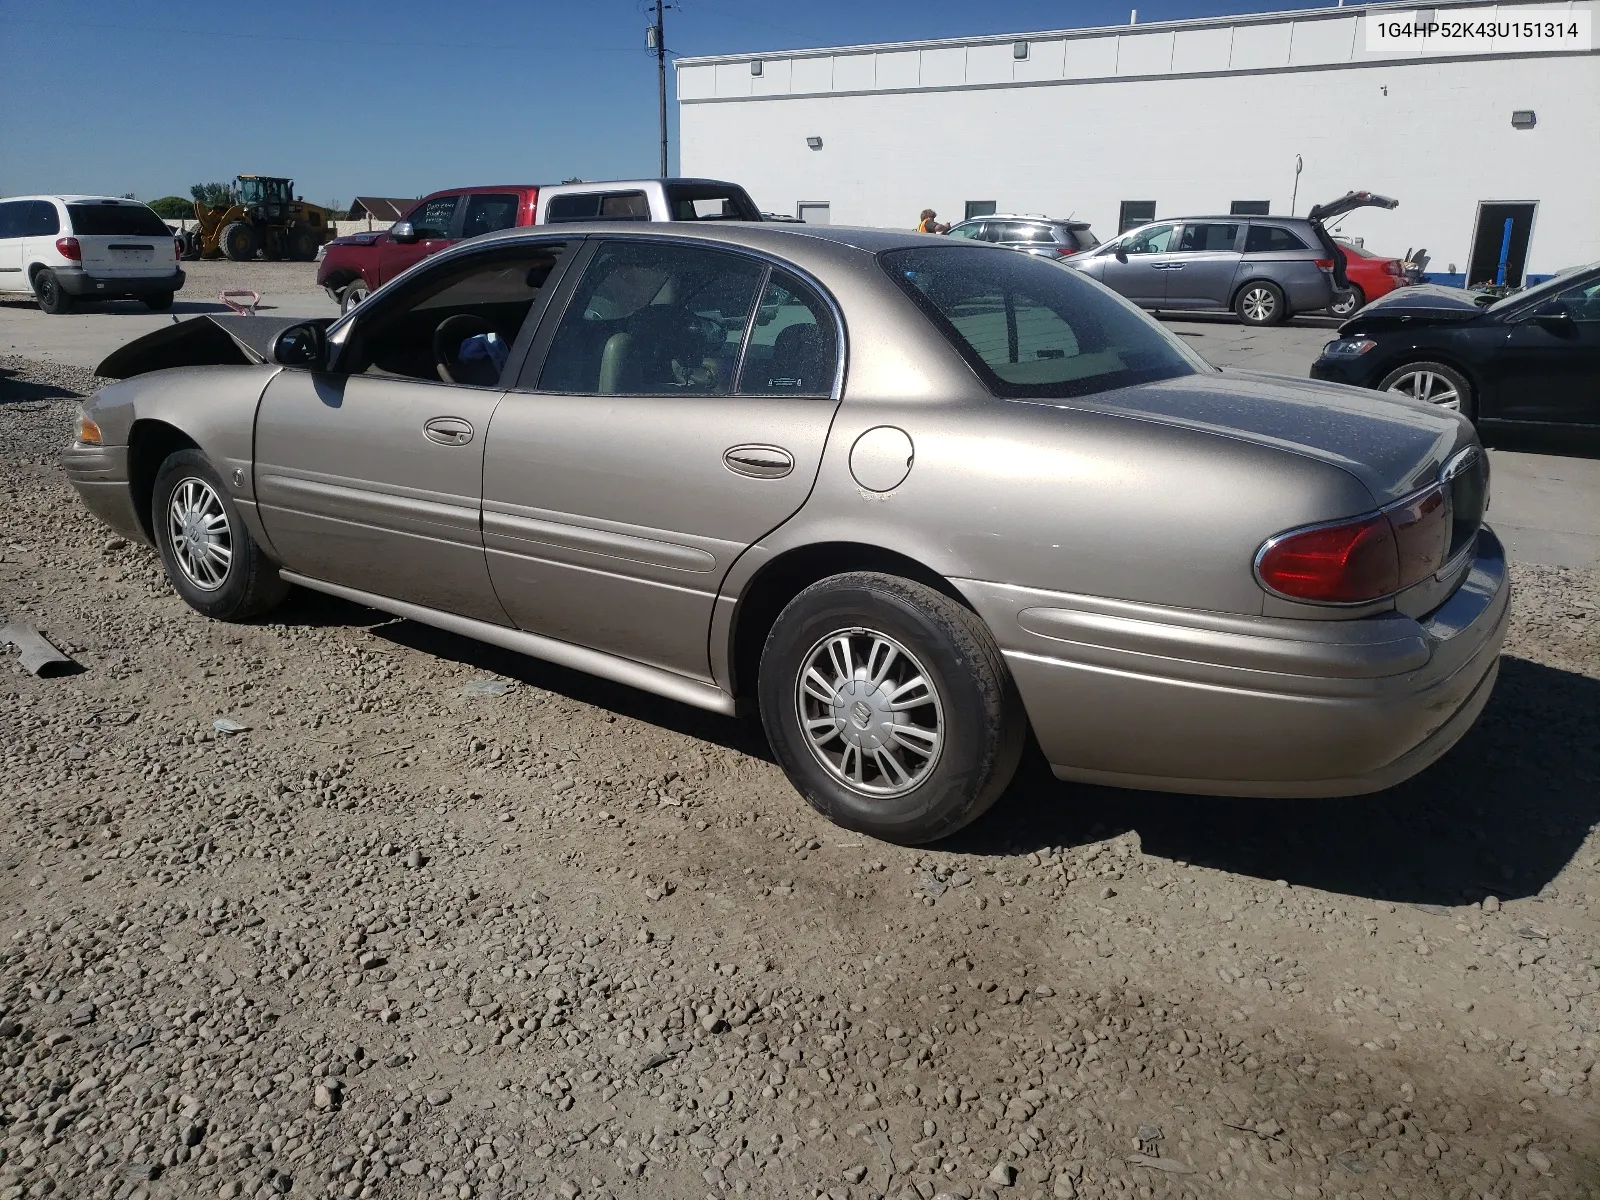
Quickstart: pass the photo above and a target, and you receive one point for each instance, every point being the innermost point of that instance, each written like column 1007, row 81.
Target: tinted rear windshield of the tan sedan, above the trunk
column 1036, row 329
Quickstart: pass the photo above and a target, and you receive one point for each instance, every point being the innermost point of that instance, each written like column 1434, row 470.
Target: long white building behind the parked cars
column 1186, row 118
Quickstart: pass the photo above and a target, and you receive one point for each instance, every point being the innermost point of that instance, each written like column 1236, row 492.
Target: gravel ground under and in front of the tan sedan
column 446, row 922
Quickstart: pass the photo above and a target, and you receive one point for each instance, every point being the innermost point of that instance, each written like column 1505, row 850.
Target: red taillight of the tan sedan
column 1362, row 559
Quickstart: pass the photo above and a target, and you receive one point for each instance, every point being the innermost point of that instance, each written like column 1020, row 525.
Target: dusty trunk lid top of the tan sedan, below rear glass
column 1391, row 444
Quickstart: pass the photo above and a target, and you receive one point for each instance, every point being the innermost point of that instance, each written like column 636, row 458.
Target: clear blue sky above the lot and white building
column 406, row 97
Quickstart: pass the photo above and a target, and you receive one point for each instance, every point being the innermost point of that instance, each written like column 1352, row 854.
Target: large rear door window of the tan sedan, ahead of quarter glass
column 654, row 319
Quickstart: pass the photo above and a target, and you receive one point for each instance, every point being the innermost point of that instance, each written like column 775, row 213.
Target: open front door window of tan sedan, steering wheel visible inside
column 457, row 322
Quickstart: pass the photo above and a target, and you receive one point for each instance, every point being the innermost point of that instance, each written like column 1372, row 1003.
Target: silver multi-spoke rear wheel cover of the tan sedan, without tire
column 870, row 713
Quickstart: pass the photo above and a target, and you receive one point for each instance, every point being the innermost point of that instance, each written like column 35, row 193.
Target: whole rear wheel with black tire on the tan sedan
column 890, row 708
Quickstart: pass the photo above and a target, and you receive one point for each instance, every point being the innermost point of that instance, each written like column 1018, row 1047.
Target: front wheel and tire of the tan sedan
column 207, row 551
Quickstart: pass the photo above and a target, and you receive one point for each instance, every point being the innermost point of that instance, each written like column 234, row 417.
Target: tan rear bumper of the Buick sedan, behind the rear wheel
column 1185, row 702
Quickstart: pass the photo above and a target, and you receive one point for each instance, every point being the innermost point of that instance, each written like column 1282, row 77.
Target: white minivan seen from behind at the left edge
column 87, row 247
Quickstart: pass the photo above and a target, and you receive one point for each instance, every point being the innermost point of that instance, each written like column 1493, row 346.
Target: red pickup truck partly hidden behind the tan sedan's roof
column 351, row 268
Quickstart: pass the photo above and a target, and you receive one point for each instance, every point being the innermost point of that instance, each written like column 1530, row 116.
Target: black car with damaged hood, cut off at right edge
column 1530, row 358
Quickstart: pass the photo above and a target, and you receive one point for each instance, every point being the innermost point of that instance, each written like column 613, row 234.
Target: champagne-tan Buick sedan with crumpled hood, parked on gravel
column 903, row 497
